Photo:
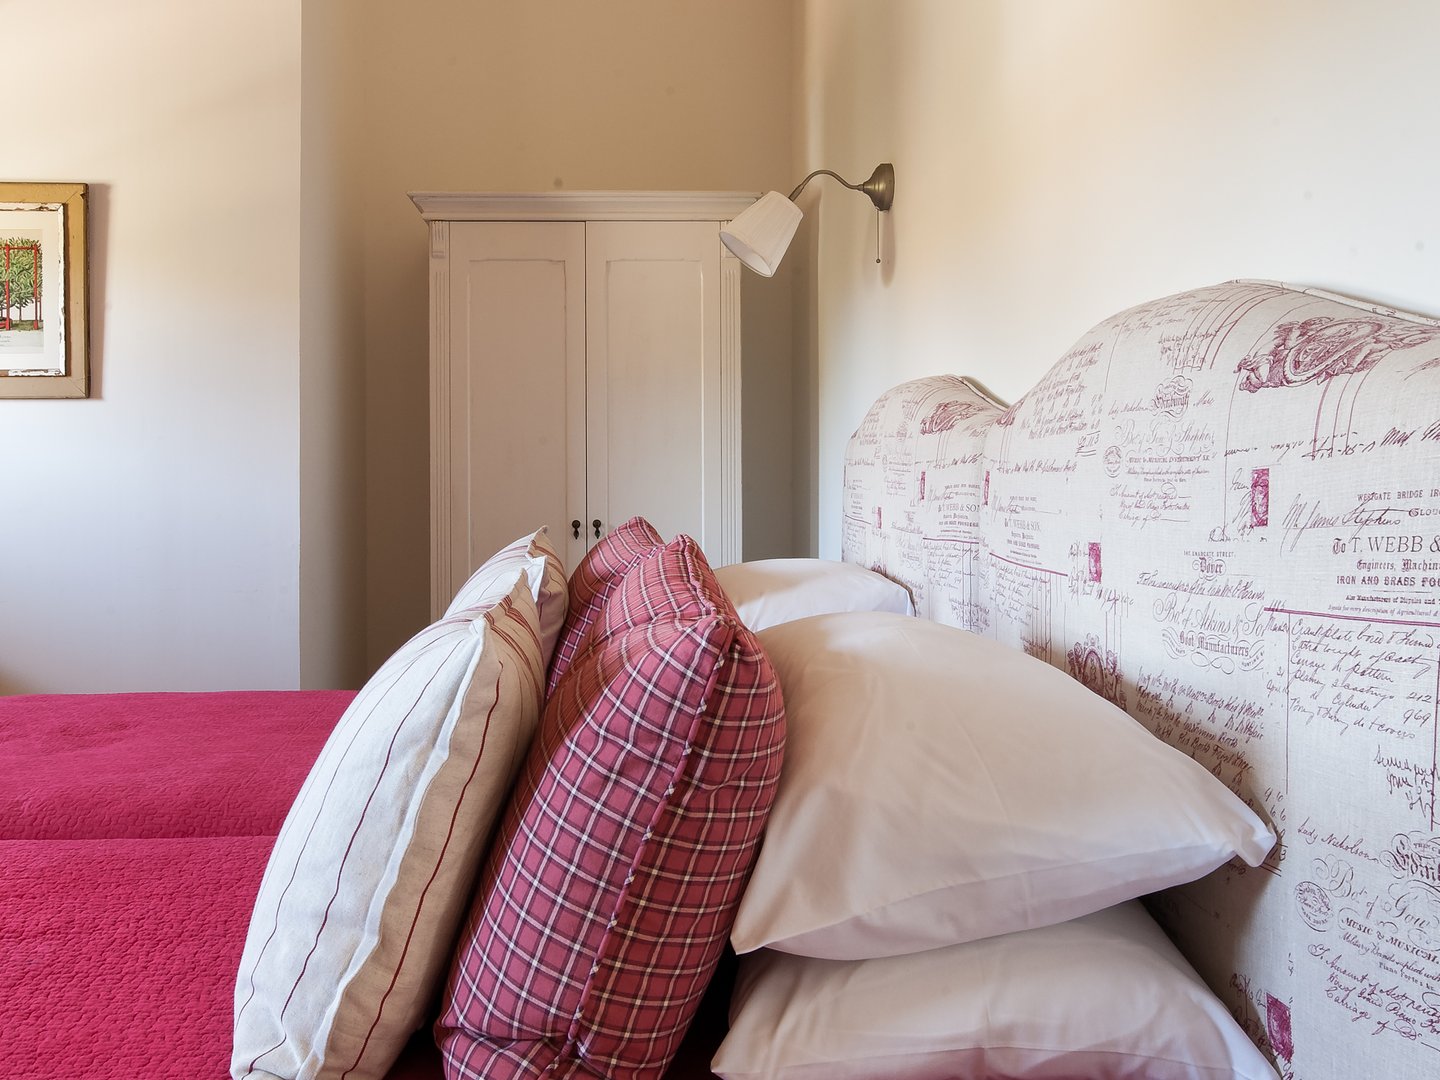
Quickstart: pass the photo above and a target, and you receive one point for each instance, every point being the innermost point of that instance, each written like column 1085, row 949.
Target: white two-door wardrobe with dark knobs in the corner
column 585, row 368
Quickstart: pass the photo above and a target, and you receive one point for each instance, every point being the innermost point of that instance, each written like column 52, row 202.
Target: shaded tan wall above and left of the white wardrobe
column 571, row 94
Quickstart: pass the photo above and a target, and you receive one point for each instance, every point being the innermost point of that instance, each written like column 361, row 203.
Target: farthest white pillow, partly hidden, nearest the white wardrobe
column 774, row 591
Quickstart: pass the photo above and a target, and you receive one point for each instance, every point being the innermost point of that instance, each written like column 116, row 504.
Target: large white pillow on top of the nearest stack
column 940, row 788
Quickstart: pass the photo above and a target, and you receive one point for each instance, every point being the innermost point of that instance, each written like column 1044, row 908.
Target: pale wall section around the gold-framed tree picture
column 149, row 536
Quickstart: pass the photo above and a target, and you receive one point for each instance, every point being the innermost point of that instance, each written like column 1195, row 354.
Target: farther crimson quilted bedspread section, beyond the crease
column 78, row 767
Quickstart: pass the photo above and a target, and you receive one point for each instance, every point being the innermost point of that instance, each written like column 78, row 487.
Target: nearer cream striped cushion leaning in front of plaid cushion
column 371, row 875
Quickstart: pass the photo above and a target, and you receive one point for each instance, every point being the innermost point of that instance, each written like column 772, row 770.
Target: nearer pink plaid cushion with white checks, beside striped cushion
column 610, row 894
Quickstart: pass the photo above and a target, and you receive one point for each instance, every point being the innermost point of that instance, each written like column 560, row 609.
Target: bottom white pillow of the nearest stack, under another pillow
column 1102, row 997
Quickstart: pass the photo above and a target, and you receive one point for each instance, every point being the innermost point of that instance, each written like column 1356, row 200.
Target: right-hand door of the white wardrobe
column 656, row 434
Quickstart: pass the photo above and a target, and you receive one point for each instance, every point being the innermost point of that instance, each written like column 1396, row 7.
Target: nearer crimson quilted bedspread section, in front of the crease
column 117, row 958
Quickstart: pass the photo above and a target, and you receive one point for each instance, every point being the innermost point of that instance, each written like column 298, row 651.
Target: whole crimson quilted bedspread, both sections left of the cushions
column 135, row 830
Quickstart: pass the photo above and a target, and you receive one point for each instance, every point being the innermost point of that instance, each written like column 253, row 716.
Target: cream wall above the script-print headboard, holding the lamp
column 1059, row 162
